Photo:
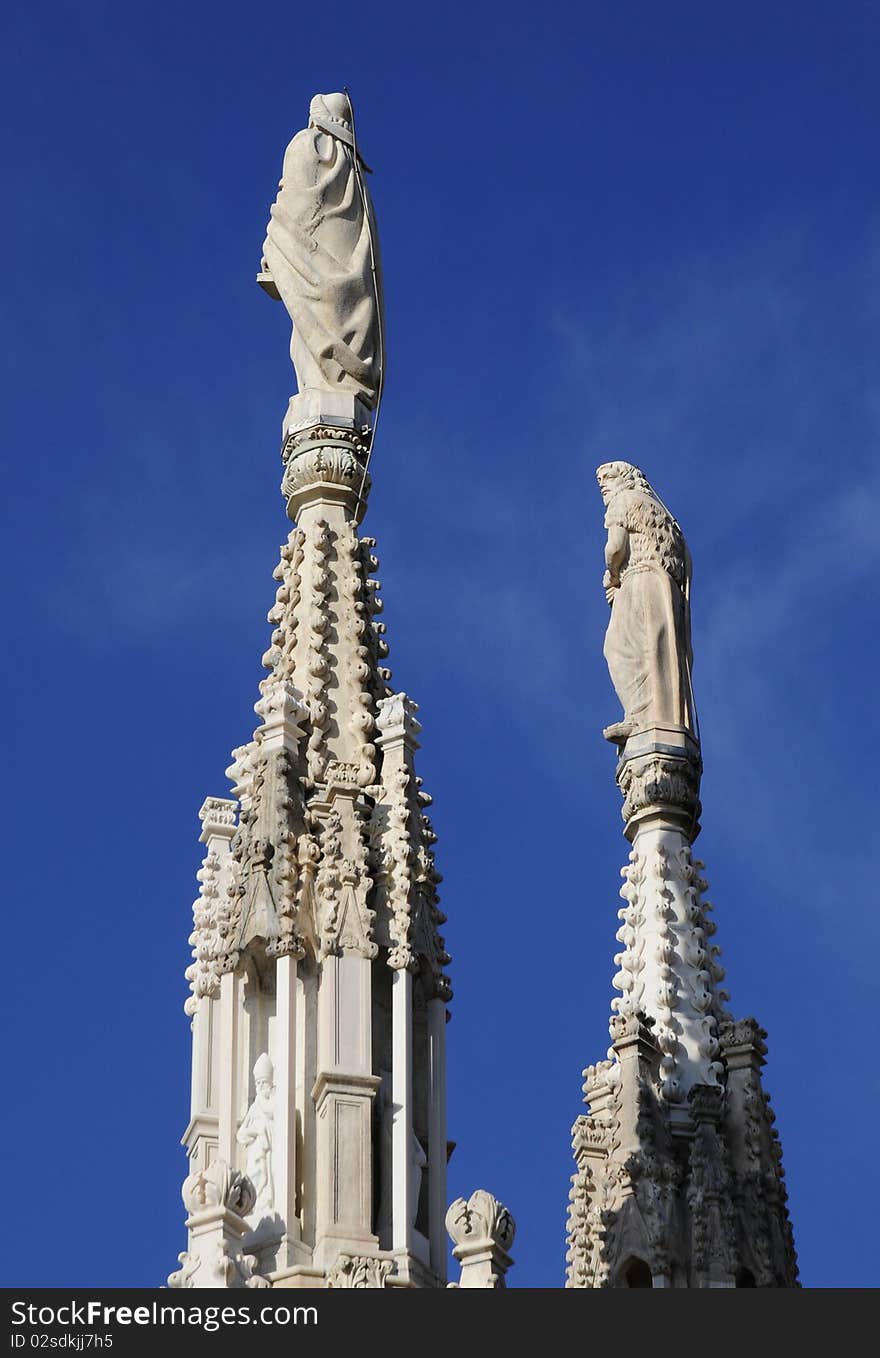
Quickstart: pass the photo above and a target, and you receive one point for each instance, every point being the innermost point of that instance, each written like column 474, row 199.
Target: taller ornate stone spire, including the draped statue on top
column 317, row 1139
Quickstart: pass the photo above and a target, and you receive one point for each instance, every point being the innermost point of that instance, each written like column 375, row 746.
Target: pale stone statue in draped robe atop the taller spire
column 321, row 257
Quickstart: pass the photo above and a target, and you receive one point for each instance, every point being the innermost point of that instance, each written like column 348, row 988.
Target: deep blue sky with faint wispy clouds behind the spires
column 609, row 232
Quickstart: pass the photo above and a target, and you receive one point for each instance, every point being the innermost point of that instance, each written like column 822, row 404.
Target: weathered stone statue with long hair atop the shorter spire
column 647, row 582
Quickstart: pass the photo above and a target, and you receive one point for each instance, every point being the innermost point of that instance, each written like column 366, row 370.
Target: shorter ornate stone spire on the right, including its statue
column 678, row 1167
